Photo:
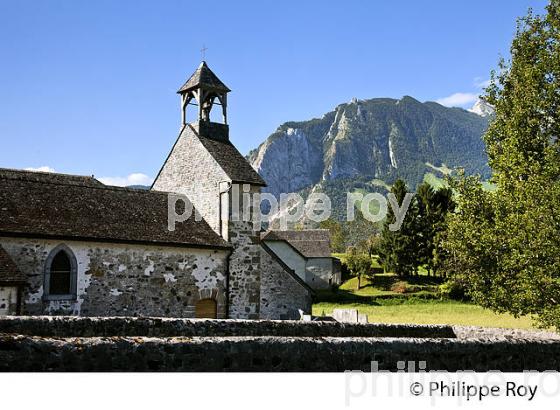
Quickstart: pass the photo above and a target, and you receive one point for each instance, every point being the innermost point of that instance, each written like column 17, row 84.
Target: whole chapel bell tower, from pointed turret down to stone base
column 217, row 179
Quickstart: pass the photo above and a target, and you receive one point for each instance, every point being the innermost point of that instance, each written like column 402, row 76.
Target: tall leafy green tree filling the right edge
column 505, row 245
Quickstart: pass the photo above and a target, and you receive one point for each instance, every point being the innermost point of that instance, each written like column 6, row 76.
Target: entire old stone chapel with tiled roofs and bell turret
column 70, row 245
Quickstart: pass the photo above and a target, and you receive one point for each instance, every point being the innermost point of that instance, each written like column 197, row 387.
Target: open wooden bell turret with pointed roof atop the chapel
column 204, row 90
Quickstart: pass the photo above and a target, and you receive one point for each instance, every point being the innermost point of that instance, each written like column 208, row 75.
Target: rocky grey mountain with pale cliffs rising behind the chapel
column 367, row 144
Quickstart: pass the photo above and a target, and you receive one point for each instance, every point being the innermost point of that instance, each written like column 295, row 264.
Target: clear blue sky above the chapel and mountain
column 88, row 87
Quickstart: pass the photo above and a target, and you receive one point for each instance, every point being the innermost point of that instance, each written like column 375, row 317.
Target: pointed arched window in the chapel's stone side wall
column 60, row 274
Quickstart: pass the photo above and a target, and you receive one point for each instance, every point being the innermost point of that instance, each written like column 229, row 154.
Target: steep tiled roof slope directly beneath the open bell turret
column 230, row 160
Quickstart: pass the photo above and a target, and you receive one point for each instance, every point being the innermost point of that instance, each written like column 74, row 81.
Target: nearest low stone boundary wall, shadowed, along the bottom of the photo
column 277, row 354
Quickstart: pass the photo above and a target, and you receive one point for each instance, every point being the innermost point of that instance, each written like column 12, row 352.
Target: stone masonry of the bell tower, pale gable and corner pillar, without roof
column 191, row 170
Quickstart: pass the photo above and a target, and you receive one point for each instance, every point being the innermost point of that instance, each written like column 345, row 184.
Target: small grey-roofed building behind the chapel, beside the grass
column 308, row 253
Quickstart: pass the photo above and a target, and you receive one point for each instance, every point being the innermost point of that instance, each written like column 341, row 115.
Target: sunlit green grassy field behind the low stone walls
column 390, row 299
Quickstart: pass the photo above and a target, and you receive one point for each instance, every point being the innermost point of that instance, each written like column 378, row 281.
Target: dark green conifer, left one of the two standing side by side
column 398, row 250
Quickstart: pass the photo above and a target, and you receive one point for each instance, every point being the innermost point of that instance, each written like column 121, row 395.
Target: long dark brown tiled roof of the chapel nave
column 73, row 207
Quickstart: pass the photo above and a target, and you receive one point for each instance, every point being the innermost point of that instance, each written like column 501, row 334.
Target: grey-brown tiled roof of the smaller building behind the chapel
column 311, row 243
